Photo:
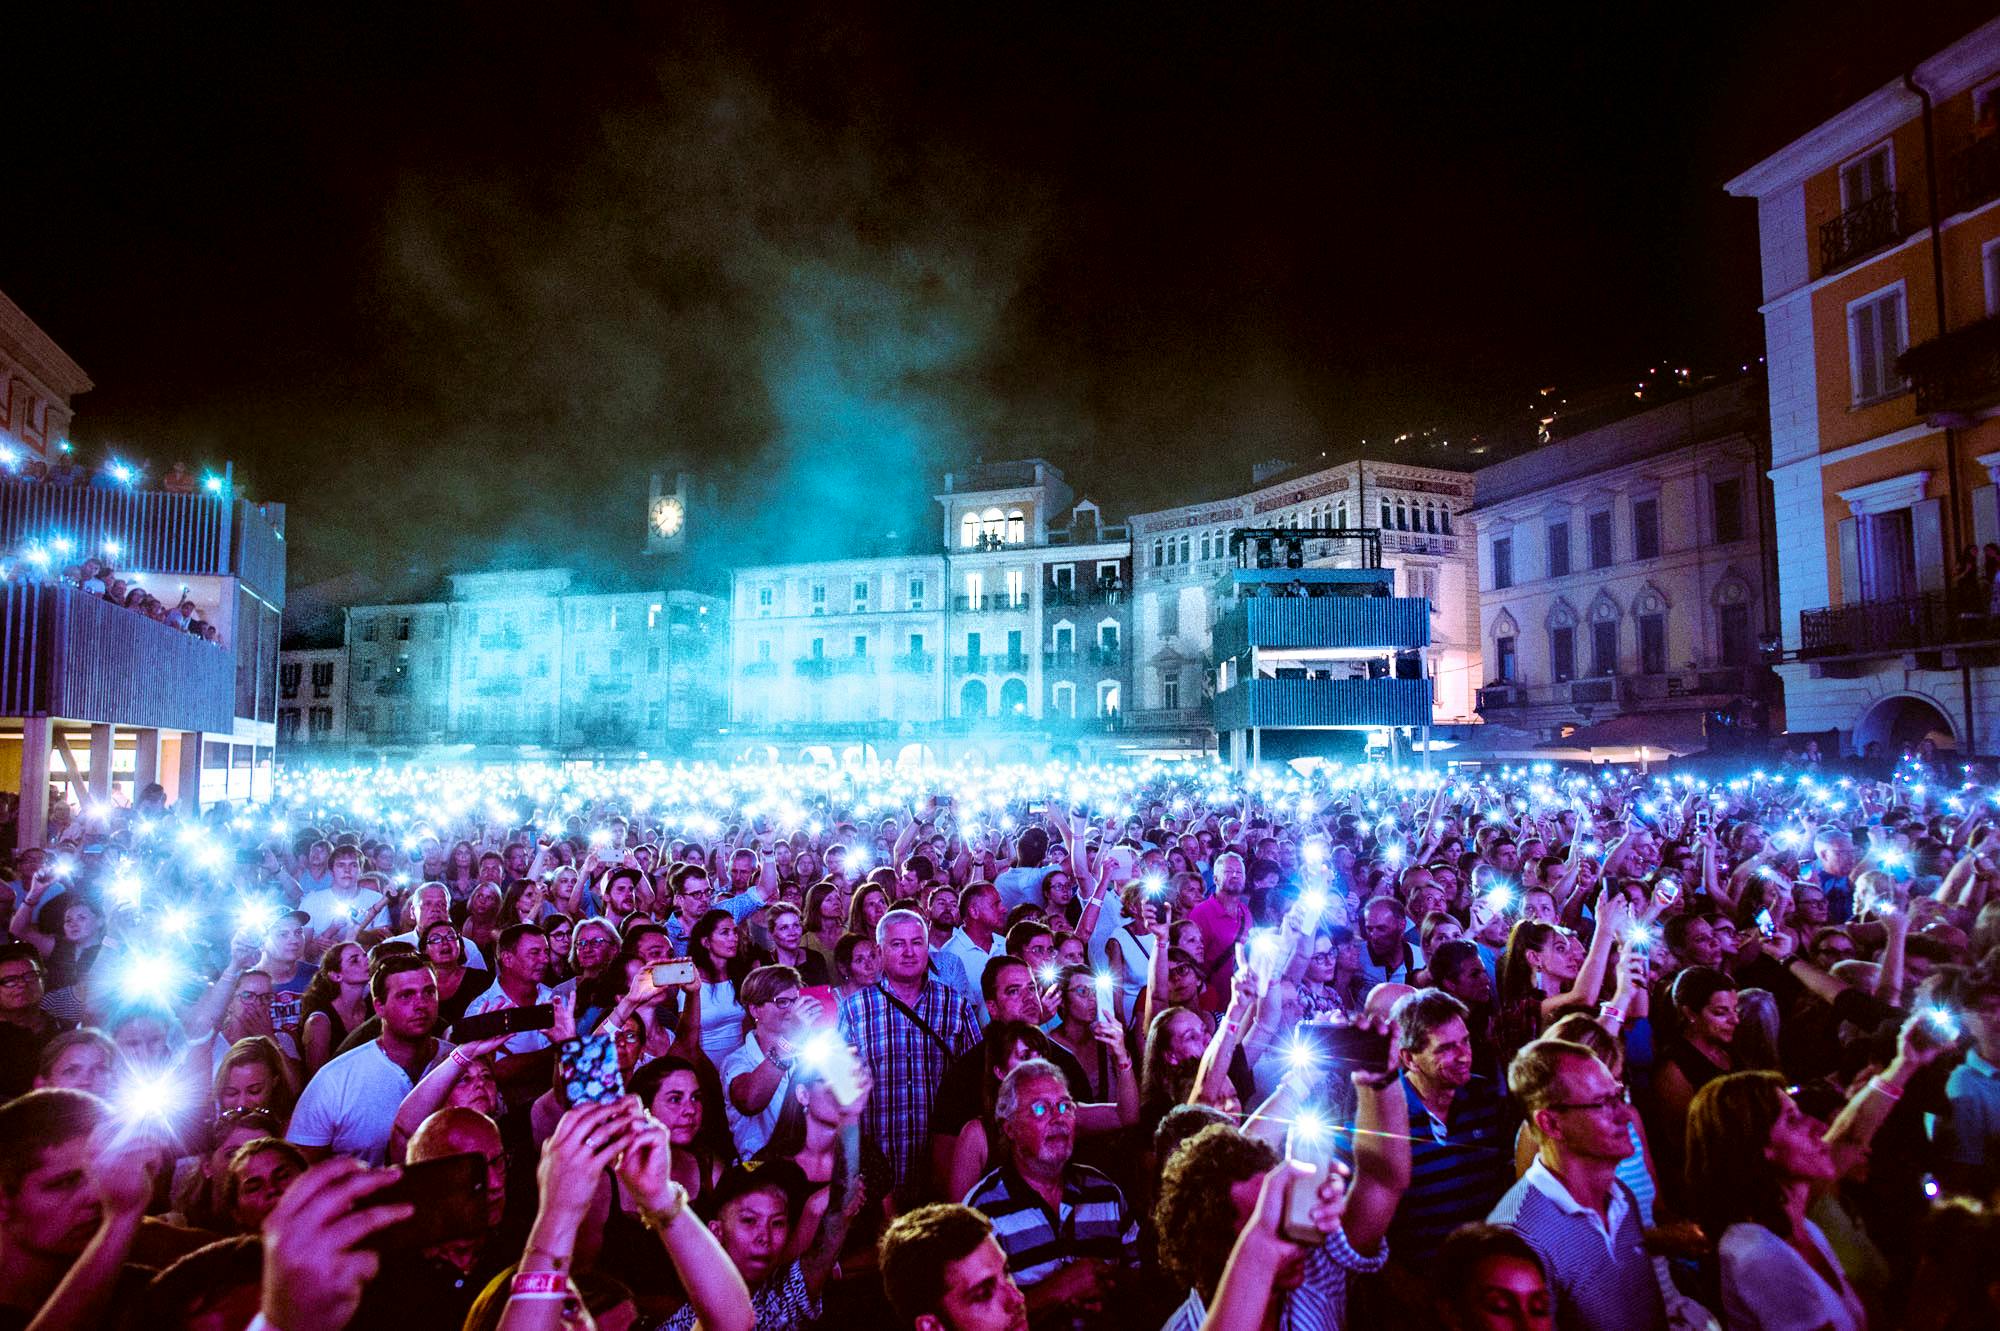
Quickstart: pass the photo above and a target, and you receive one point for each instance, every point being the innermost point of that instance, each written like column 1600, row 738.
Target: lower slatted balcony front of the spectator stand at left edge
column 71, row 655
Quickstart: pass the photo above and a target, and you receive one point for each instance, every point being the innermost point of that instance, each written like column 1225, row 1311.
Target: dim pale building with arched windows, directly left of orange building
column 1623, row 571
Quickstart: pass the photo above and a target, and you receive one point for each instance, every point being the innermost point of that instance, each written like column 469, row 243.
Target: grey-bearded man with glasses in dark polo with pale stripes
column 1065, row 1228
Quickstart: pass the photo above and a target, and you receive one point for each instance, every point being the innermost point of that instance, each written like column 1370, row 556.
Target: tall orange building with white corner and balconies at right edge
column 1881, row 253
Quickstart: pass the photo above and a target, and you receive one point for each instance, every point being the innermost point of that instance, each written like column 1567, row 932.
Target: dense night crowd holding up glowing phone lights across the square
column 973, row 1050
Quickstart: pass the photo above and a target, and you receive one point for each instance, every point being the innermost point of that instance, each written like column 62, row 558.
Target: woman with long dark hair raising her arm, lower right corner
column 1755, row 1162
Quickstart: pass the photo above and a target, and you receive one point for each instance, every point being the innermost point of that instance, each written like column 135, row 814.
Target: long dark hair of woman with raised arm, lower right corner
column 1729, row 1176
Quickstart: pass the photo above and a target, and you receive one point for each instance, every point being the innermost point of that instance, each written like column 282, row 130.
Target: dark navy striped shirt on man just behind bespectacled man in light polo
column 1455, row 1176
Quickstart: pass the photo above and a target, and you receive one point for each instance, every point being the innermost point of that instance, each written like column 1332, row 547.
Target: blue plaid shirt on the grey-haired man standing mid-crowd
column 907, row 1068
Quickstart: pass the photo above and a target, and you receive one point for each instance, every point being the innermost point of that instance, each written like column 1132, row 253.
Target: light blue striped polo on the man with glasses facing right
column 1597, row 1266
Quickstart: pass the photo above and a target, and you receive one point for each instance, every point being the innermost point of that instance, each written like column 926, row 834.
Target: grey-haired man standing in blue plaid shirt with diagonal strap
column 907, row 1028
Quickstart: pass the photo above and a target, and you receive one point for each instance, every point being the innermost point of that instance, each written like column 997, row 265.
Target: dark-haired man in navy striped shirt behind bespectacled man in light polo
column 1461, row 1128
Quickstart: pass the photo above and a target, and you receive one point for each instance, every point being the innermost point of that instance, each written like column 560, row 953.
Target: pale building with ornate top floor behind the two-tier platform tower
column 1183, row 559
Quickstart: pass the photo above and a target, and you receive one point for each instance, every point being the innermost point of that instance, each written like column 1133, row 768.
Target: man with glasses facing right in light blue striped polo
column 1571, row 1206
